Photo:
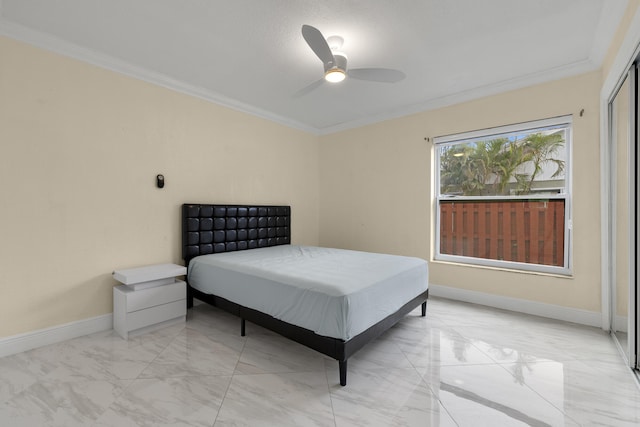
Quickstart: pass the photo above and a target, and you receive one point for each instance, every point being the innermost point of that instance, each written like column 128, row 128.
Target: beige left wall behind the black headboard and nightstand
column 79, row 151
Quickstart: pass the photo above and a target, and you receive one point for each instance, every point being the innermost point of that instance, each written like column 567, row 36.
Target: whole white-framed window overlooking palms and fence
column 503, row 196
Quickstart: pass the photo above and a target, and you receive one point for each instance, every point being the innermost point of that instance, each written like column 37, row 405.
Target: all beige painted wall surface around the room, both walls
column 80, row 148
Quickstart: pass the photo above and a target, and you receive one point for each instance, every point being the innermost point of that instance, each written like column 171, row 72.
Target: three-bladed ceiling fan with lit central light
column 335, row 62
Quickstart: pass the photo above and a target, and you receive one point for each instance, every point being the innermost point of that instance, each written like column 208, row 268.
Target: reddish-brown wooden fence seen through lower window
column 509, row 230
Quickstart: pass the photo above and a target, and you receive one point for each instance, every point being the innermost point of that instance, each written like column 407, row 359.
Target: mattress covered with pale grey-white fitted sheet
column 334, row 292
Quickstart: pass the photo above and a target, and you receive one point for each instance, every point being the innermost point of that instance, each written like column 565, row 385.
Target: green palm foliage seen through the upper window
column 497, row 166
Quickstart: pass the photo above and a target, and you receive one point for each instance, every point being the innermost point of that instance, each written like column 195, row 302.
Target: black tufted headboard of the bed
column 208, row 229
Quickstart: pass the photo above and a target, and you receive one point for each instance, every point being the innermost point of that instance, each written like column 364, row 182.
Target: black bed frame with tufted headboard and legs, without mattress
column 208, row 229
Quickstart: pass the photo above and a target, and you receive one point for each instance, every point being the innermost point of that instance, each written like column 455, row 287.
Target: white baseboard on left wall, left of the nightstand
column 30, row 340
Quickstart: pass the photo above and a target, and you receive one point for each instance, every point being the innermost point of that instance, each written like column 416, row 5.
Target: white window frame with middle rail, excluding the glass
column 566, row 195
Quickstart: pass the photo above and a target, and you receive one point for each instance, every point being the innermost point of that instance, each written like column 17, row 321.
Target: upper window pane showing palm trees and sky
column 510, row 164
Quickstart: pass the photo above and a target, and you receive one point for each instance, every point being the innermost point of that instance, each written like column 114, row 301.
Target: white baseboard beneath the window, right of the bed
column 558, row 312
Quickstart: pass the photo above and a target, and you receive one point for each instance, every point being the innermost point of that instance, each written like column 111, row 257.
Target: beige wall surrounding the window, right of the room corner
column 376, row 188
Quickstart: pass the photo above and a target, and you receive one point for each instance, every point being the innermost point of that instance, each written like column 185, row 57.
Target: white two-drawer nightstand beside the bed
column 150, row 297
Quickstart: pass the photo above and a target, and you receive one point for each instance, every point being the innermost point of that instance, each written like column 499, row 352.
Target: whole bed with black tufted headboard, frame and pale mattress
column 240, row 259
